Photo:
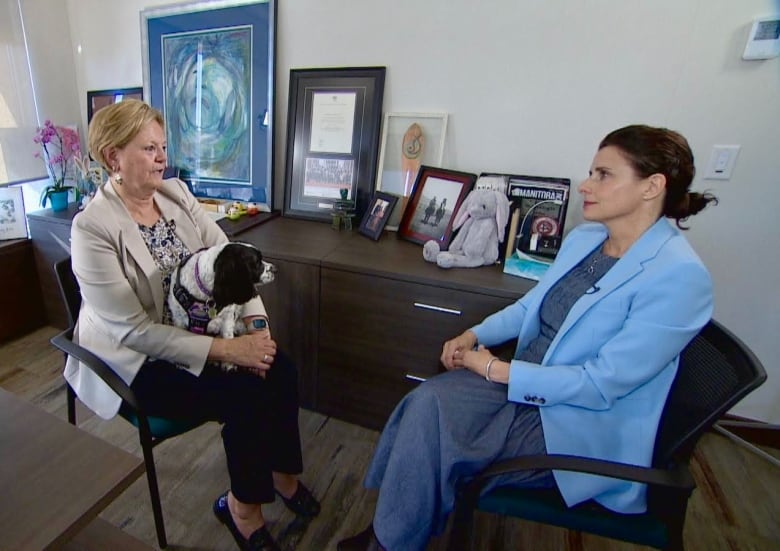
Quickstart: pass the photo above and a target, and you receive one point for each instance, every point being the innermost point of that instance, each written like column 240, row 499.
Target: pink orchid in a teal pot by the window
column 60, row 146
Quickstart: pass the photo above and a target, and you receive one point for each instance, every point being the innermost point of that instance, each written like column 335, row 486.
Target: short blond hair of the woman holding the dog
column 116, row 125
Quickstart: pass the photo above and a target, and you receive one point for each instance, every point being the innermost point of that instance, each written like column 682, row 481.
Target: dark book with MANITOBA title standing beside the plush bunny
column 536, row 222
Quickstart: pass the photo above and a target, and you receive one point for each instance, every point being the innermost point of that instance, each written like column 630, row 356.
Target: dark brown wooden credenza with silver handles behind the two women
column 363, row 320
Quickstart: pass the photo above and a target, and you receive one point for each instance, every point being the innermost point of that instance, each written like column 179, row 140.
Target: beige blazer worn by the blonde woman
column 122, row 293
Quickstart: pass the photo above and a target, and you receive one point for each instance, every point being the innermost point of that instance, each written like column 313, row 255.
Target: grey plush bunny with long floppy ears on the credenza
column 481, row 218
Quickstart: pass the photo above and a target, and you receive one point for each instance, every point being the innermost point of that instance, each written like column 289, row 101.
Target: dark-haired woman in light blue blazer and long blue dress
column 598, row 343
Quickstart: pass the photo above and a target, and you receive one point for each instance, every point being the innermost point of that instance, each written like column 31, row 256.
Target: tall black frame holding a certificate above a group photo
column 332, row 139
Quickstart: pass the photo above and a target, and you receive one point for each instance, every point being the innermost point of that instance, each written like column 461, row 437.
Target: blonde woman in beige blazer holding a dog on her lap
column 124, row 246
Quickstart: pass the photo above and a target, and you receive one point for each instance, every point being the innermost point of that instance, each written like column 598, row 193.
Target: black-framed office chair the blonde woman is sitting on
column 151, row 430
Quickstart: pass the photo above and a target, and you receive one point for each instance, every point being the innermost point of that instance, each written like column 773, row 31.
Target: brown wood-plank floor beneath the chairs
column 736, row 505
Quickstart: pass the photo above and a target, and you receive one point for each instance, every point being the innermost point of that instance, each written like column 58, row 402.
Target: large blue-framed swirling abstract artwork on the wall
column 208, row 66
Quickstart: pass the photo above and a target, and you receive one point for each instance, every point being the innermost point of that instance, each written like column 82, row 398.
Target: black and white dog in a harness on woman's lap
column 209, row 287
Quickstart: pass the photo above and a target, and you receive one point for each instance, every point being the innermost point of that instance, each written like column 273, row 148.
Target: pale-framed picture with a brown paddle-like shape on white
column 409, row 140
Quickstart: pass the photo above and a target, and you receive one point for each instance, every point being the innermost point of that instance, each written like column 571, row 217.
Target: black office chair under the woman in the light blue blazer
column 716, row 371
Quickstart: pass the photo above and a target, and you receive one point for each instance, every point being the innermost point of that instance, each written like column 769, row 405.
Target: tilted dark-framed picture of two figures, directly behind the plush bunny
column 436, row 196
